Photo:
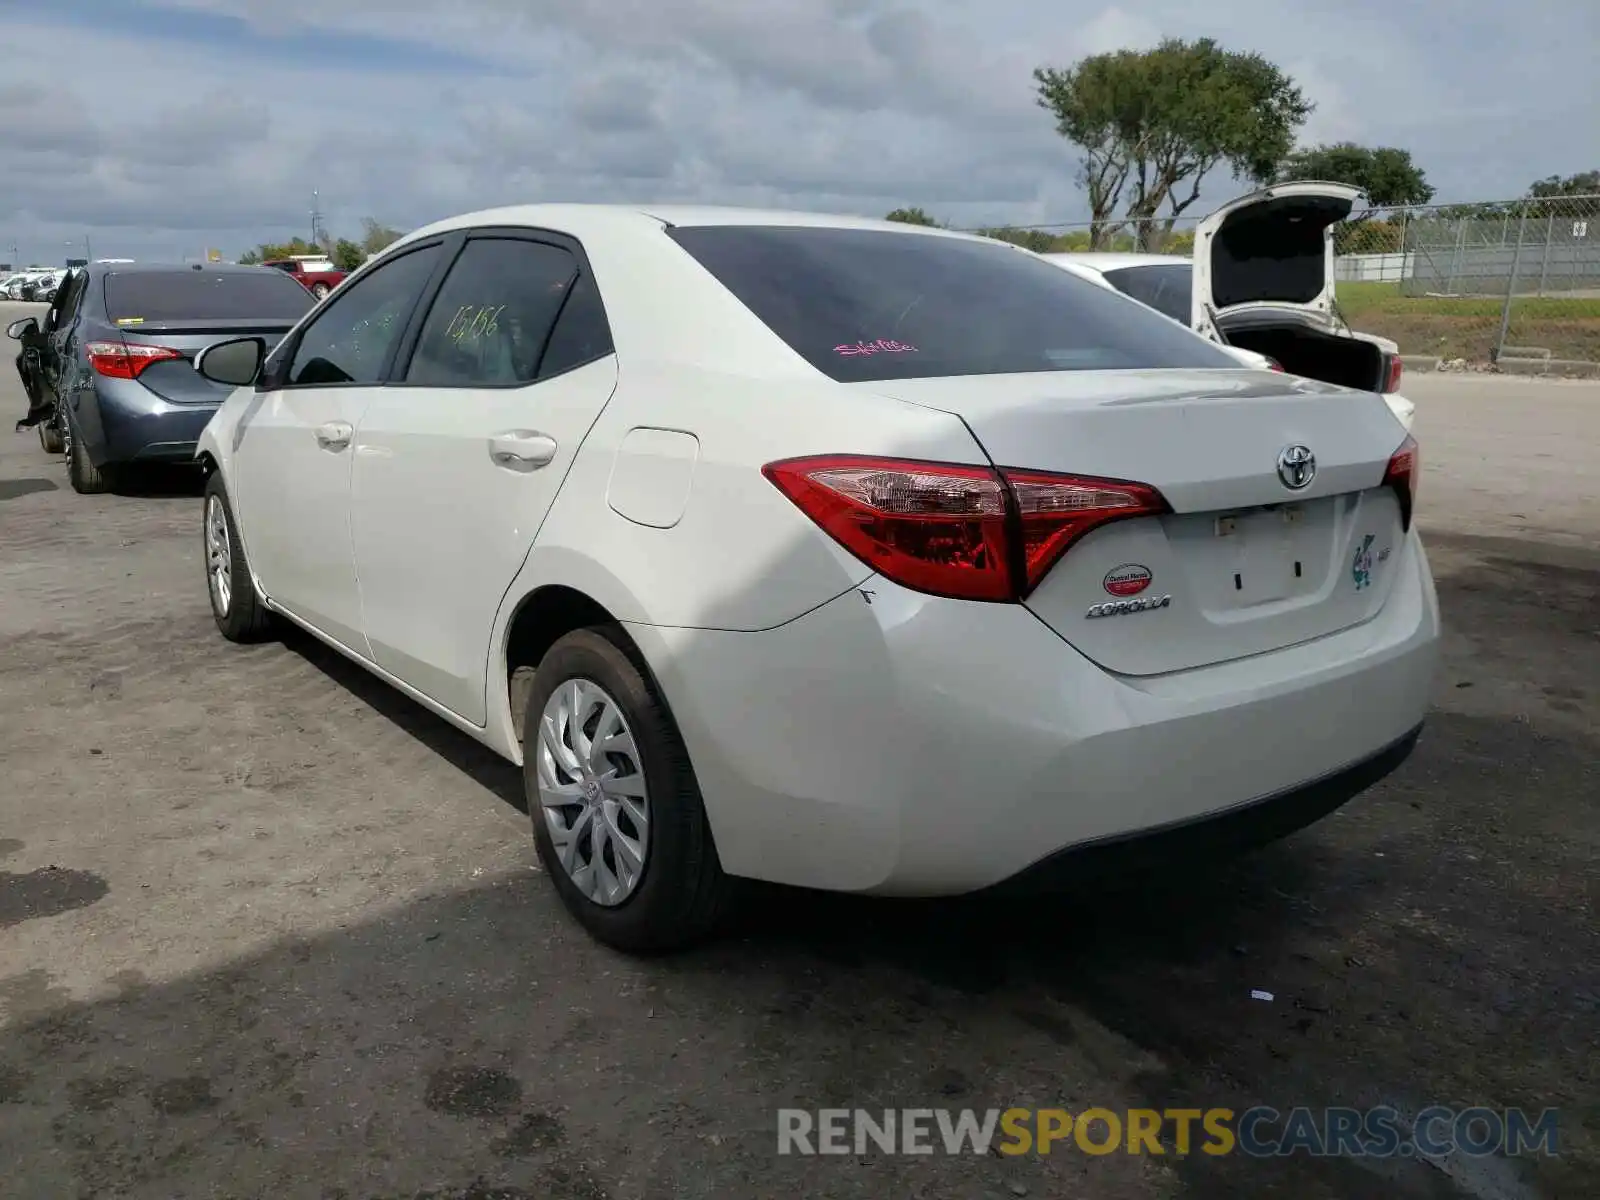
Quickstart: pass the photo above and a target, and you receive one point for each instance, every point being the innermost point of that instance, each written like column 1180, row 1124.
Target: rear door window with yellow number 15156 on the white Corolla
column 494, row 316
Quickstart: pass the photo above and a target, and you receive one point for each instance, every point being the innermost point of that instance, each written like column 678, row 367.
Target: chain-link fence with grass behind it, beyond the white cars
column 1508, row 286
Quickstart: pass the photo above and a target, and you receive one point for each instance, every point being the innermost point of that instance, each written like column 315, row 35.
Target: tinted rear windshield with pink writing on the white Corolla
column 868, row 305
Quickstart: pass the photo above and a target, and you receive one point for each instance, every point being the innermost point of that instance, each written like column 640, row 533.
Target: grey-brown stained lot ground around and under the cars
column 270, row 930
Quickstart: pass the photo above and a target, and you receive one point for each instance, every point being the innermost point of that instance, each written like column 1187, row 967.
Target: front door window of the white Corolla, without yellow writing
column 351, row 340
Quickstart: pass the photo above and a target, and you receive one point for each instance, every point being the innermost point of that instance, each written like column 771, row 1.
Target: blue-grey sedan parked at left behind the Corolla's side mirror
column 116, row 356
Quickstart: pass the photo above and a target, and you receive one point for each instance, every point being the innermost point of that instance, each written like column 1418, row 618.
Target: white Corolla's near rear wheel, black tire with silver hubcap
column 617, row 814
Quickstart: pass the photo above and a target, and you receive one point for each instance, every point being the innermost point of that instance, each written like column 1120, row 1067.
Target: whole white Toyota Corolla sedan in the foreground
column 826, row 551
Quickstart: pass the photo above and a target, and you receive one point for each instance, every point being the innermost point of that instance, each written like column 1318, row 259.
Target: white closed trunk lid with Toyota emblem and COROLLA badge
column 1244, row 564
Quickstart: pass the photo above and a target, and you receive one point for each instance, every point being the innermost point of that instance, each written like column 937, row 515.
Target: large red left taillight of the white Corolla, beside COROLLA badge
column 972, row 534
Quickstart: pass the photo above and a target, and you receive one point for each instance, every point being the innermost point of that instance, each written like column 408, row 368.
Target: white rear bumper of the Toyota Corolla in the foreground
column 921, row 746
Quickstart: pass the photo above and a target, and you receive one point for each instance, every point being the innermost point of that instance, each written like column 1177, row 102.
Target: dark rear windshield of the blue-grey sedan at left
column 206, row 295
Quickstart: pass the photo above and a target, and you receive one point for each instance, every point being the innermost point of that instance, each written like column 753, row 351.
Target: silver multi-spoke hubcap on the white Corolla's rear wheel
column 593, row 791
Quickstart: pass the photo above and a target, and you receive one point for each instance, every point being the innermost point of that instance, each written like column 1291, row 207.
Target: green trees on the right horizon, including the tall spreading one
column 1150, row 126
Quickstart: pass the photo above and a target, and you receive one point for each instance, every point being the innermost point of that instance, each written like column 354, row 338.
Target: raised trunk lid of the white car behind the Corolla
column 1270, row 249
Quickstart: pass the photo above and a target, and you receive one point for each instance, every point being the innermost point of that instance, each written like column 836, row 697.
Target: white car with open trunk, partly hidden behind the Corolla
column 1286, row 316
